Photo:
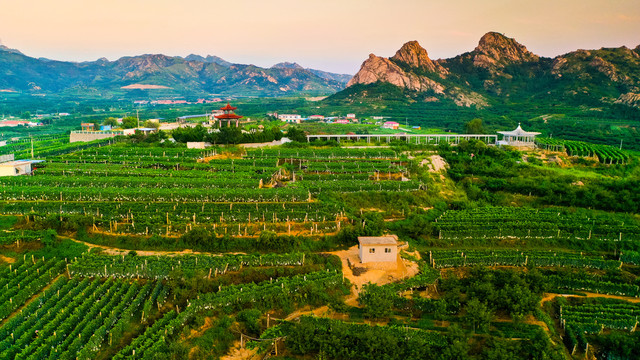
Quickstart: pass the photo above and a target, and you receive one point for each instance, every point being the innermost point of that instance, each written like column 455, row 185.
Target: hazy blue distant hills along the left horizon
column 193, row 75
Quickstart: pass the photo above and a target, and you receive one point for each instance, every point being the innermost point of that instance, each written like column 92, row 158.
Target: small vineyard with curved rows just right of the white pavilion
column 606, row 154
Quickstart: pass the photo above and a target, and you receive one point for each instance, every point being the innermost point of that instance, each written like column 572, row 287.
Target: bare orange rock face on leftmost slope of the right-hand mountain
column 376, row 68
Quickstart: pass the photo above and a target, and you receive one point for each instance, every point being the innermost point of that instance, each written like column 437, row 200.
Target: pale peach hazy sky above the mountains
column 333, row 35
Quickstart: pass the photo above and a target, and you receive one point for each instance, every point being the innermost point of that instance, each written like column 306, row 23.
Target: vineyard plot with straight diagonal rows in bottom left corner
column 73, row 318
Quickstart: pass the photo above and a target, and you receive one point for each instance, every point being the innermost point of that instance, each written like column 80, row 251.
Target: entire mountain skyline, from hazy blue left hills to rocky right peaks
column 498, row 71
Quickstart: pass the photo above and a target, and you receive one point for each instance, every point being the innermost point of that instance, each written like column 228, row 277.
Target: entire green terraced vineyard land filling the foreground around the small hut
column 129, row 249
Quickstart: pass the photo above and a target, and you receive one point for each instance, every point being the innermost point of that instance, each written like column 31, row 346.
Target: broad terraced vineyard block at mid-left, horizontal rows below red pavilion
column 165, row 191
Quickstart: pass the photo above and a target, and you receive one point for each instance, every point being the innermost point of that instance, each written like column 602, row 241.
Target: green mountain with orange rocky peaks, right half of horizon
column 501, row 70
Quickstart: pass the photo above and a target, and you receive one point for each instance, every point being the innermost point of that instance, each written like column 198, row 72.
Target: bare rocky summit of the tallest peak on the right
column 496, row 50
